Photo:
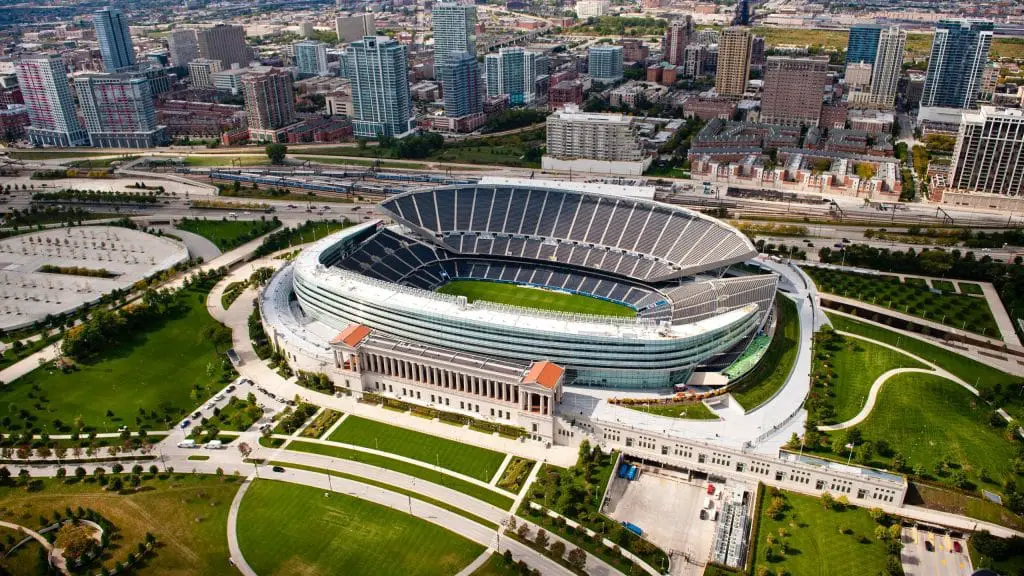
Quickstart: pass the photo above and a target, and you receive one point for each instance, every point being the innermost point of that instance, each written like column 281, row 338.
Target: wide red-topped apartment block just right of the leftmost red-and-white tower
column 118, row 111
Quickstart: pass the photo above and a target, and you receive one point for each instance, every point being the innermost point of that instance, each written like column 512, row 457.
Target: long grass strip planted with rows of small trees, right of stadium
column 957, row 311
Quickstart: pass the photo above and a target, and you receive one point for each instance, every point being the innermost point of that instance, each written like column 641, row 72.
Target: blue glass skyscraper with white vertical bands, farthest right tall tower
column 960, row 52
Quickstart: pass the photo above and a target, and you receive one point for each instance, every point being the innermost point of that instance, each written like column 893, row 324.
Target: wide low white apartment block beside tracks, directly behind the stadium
column 593, row 143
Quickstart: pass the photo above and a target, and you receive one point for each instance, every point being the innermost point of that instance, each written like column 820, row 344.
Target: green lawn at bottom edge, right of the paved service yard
column 816, row 546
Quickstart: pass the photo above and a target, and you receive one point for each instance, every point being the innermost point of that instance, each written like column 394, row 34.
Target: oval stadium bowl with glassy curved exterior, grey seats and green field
column 623, row 293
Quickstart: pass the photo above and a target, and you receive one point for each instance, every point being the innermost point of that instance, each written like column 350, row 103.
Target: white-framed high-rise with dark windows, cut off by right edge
column 990, row 153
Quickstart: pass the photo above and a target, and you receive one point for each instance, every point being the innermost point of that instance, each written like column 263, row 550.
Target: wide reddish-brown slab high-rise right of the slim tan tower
column 794, row 89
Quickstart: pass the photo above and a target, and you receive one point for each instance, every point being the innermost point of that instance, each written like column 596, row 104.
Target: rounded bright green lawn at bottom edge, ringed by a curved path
column 291, row 529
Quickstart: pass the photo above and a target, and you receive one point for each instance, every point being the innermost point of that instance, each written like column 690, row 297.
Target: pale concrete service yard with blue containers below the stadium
column 668, row 510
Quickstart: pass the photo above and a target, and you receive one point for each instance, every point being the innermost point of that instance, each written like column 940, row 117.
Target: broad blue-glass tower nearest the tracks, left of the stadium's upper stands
column 381, row 103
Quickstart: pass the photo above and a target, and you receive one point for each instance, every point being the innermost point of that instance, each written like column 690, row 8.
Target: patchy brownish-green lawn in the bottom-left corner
column 188, row 515
